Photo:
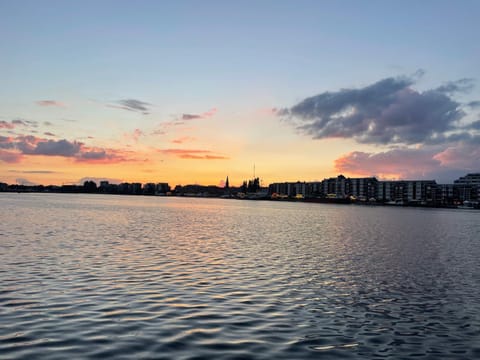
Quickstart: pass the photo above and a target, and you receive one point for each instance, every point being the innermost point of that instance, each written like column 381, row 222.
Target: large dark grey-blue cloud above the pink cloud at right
column 386, row 112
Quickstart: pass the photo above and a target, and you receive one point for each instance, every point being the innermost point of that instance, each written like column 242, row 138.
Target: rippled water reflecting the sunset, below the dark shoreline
column 91, row 276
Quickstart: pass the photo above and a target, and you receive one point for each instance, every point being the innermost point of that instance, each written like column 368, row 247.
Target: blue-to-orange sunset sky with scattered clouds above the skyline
column 194, row 91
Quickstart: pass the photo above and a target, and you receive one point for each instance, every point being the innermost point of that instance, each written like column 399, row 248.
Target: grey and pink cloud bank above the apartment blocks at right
column 428, row 133
